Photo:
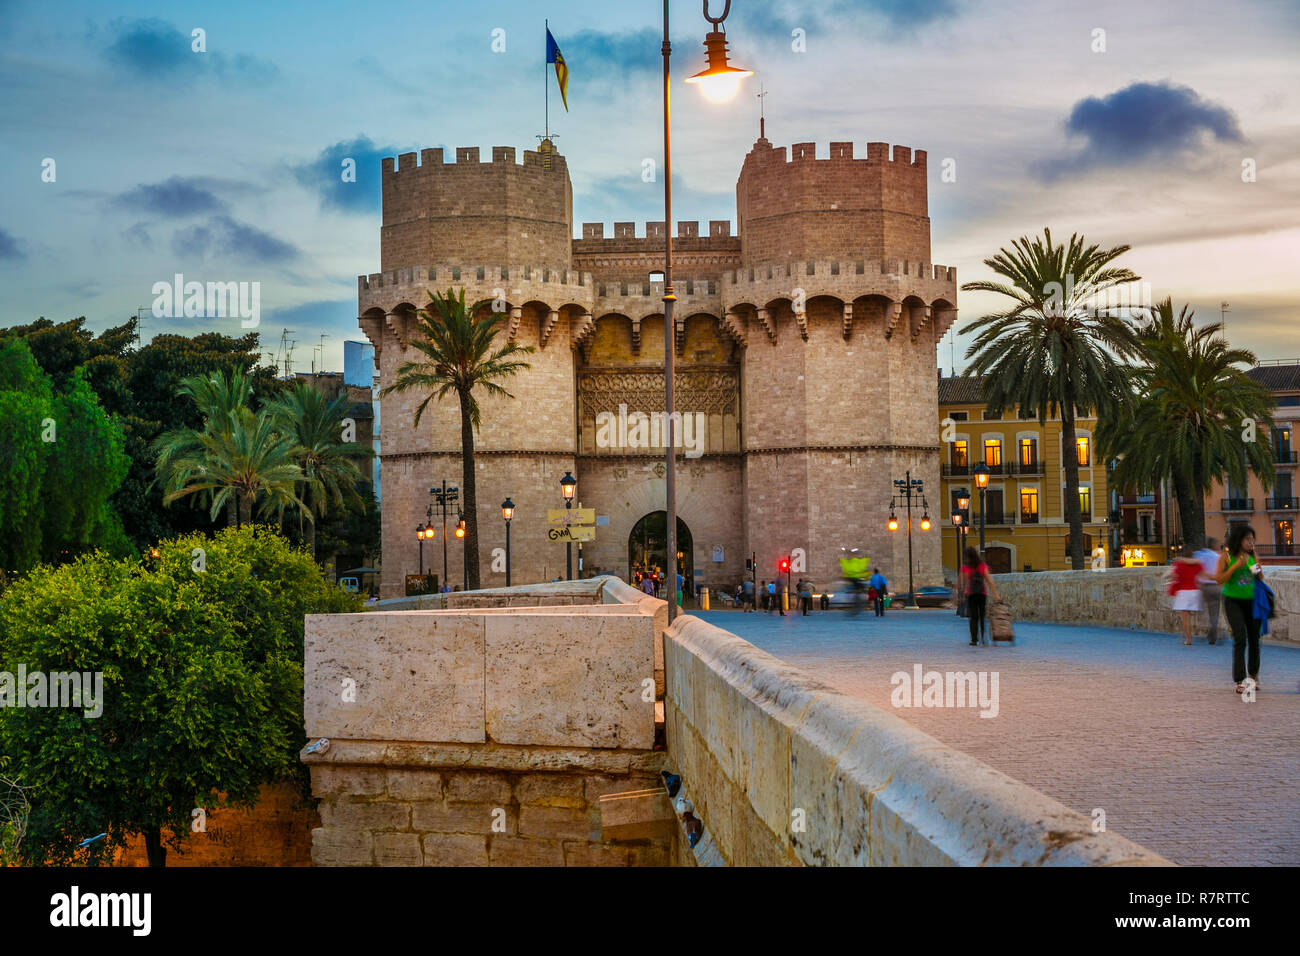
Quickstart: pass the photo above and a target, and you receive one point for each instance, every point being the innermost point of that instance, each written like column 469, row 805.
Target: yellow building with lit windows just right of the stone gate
column 1025, row 513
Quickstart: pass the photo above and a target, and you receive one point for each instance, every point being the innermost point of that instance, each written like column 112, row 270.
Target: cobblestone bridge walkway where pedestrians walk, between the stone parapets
column 1132, row 723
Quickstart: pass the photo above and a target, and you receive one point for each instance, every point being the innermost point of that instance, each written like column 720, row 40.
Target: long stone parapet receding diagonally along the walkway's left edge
column 865, row 788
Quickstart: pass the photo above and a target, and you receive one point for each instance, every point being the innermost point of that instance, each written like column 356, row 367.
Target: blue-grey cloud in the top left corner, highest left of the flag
column 154, row 49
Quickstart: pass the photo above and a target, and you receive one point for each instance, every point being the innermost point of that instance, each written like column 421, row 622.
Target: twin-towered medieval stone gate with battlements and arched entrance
column 805, row 353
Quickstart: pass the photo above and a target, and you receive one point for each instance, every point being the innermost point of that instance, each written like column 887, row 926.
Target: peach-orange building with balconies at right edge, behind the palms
column 1273, row 513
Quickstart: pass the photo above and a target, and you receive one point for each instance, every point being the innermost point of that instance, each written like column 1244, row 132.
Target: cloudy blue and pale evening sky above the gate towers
column 224, row 166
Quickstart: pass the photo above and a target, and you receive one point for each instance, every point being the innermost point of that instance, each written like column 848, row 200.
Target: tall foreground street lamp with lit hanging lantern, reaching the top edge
column 717, row 81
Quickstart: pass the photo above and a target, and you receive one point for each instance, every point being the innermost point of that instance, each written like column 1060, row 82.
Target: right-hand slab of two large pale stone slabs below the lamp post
column 577, row 684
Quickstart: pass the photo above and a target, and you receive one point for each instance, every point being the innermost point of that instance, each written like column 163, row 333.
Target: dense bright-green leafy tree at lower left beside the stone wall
column 202, row 687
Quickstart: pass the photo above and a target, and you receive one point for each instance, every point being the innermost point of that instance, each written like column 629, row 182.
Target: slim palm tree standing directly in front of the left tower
column 461, row 351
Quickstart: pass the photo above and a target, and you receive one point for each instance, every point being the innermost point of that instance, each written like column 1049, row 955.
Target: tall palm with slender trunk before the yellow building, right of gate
column 1054, row 352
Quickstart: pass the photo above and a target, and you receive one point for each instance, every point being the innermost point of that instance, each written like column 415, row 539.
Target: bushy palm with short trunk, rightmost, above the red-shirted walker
column 1189, row 426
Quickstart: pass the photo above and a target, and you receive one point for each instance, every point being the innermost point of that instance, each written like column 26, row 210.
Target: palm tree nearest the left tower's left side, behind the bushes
column 330, row 471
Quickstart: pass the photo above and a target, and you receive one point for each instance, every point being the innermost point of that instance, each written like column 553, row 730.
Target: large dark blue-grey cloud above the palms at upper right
column 1138, row 124
